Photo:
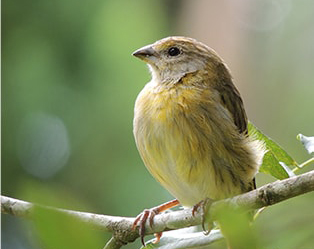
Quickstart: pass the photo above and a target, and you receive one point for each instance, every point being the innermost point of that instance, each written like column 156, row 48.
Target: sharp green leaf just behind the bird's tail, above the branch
column 274, row 156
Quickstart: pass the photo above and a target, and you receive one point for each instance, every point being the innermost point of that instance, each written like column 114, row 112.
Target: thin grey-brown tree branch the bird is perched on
column 120, row 227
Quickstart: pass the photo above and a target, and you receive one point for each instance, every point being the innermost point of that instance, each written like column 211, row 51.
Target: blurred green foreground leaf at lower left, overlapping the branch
column 56, row 230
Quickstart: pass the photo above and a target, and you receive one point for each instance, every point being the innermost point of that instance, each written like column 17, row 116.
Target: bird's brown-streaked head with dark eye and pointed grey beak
column 173, row 57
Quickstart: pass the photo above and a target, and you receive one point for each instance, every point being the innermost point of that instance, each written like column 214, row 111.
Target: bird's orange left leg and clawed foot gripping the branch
column 148, row 215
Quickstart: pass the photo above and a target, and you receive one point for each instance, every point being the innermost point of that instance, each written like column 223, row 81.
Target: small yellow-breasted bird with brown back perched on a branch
column 191, row 128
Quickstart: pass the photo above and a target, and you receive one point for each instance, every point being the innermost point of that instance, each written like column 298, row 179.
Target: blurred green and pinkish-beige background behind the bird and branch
column 69, row 84
